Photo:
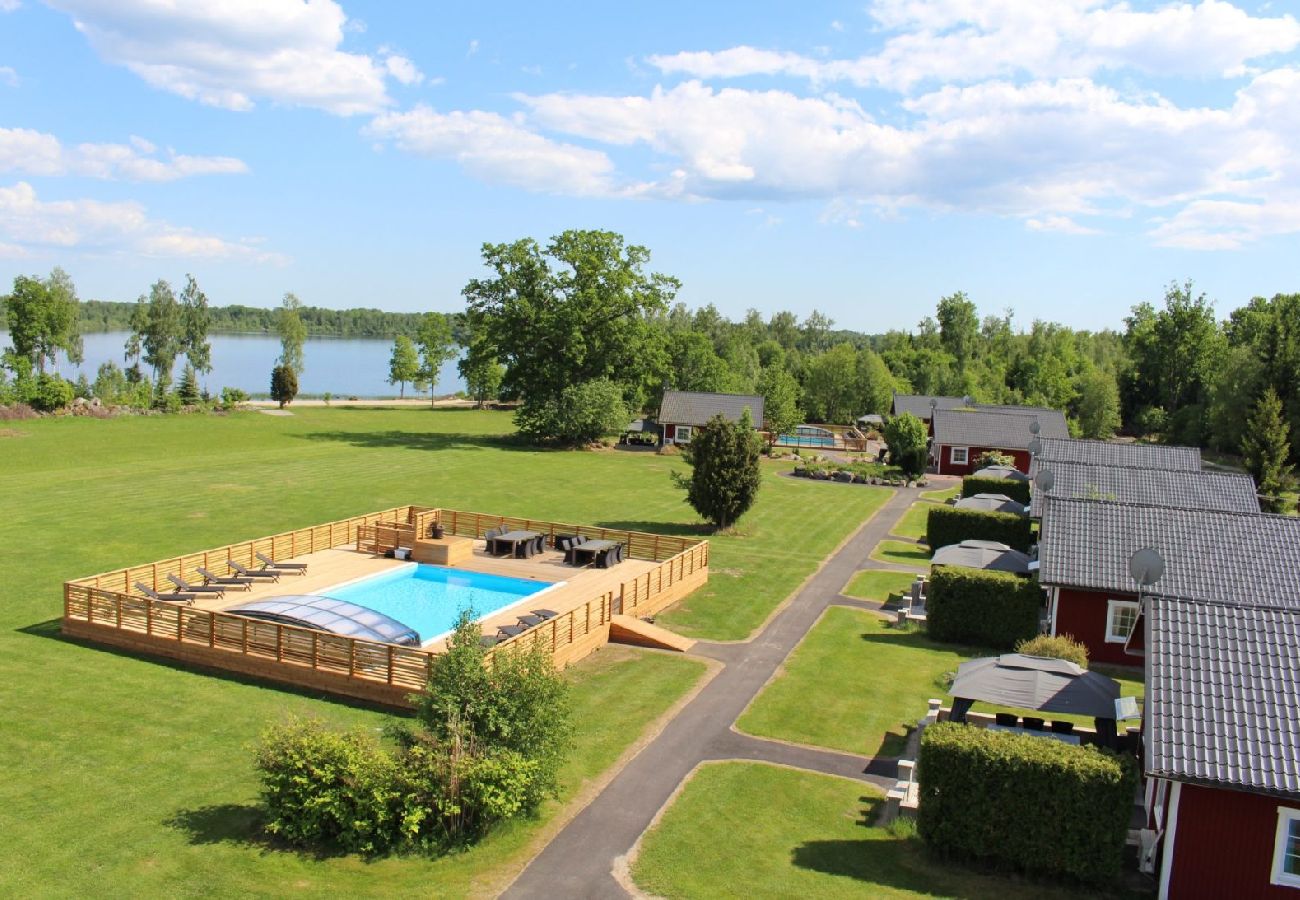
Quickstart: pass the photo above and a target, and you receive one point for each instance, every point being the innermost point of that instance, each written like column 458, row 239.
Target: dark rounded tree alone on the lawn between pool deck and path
column 725, row 470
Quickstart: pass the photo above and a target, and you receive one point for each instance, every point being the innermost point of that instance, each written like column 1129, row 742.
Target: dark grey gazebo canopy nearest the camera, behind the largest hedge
column 1039, row 683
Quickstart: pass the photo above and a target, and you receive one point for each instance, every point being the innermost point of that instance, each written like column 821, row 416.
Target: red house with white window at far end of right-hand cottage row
column 961, row 436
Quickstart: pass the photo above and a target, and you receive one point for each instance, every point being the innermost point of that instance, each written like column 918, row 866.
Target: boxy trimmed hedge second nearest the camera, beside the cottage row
column 987, row 609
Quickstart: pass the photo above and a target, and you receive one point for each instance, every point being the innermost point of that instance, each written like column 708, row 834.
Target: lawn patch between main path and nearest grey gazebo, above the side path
column 857, row 685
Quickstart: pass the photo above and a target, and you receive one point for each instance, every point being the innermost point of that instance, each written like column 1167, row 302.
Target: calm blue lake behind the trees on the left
column 345, row 367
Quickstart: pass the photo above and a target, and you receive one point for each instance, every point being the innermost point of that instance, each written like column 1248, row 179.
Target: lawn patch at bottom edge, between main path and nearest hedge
column 723, row 838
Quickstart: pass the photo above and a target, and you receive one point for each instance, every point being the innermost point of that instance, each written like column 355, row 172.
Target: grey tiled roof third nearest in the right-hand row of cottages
column 1189, row 491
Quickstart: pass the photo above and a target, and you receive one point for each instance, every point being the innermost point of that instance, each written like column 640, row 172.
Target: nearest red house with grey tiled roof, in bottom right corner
column 1223, row 747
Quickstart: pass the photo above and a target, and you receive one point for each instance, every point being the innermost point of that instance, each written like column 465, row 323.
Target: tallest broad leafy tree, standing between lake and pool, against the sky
column 582, row 309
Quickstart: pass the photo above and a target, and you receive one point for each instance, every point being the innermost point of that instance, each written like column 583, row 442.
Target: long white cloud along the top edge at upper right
column 965, row 41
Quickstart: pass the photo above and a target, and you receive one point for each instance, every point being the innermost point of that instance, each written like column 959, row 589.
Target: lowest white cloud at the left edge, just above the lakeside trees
column 27, row 223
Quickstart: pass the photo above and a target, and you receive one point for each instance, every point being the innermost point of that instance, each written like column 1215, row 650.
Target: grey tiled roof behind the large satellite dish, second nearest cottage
column 1216, row 556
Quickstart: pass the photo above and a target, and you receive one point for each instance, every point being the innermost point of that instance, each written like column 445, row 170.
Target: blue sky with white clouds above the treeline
column 1061, row 158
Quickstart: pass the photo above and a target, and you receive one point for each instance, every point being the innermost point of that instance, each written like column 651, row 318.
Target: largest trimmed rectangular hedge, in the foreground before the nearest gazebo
column 1033, row 804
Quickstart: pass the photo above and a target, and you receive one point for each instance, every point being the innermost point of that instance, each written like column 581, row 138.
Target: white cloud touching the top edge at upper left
column 236, row 53
